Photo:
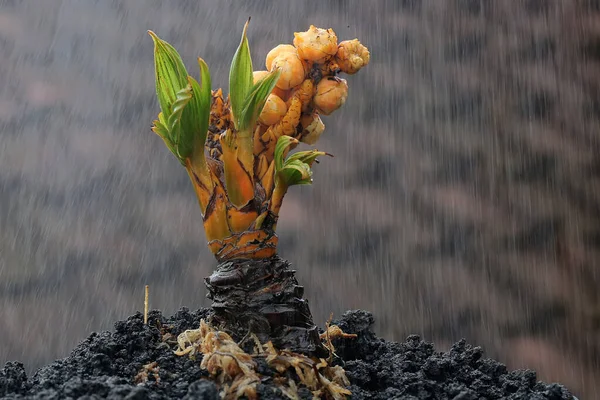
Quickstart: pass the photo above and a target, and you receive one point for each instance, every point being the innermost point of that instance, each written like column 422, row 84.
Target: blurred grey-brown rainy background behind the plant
column 463, row 199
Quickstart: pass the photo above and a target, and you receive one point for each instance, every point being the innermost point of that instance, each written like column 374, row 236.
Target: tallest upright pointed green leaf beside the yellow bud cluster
column 240, row 77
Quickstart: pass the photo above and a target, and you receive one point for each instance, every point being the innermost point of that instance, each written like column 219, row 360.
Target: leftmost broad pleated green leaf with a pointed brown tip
column 170, row 73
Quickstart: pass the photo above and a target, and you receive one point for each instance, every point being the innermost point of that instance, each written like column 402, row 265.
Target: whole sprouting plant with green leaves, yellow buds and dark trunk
column 236, row 151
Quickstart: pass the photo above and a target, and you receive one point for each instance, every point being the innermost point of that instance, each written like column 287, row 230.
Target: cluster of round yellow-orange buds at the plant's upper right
column 308, row 85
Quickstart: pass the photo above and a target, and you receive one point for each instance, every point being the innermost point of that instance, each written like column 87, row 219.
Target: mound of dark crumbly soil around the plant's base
column 106, row 365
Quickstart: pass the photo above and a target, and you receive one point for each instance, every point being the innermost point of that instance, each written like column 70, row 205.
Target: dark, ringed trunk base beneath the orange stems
column 263, row 297
